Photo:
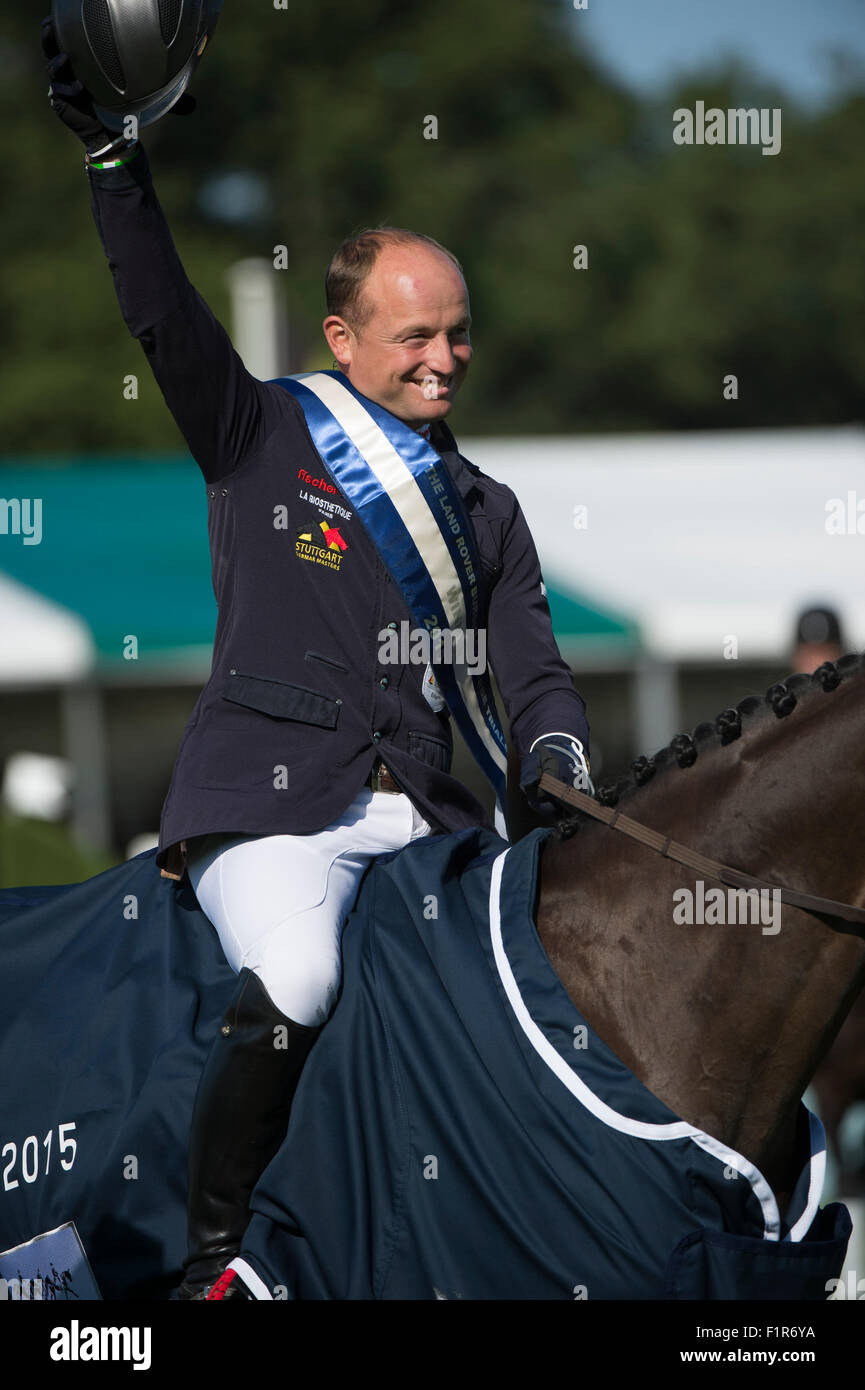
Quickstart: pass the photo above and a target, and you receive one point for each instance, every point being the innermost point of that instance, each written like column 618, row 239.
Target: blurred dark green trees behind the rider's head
column 311, row 126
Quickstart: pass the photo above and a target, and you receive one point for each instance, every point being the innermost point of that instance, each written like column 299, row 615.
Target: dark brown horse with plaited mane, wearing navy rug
column 714, row 1028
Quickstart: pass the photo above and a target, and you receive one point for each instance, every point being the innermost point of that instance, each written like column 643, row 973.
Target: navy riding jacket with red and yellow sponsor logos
column 300, row 705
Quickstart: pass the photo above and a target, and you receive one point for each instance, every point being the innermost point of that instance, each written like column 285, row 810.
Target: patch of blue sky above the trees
column 645, row 44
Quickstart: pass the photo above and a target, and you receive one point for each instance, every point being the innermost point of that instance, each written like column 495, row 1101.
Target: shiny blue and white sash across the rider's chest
column 415, row 518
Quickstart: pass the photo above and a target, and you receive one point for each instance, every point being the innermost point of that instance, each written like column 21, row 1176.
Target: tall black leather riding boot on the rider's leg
column 239, row 1122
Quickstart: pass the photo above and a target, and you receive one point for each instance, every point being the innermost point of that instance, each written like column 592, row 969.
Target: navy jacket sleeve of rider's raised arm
column 222, row 411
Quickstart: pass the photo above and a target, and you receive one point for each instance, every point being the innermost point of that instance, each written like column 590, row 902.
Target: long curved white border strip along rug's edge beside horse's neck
column 640, row 1129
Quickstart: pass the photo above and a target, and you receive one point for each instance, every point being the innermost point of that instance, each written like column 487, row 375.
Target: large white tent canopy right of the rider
column 699, row 537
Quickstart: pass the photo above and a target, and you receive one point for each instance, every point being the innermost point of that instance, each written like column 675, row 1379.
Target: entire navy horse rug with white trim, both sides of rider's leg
column 460, row 1132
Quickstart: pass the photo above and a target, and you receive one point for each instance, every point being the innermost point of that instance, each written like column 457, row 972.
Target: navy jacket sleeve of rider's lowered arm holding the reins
column 536, row 685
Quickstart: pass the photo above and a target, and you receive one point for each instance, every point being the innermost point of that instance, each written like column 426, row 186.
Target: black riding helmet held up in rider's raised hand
column 136, row 58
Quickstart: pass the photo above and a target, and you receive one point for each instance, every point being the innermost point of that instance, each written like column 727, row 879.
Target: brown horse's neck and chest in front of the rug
column 725, row 1024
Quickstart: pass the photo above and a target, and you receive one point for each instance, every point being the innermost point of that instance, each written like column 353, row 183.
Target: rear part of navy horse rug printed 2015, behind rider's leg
column 111, row 996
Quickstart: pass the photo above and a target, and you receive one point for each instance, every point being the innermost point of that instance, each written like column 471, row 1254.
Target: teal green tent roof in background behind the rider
column 124, row 546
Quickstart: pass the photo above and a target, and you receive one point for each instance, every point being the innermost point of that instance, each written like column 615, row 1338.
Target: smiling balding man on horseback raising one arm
column 308, row 754
